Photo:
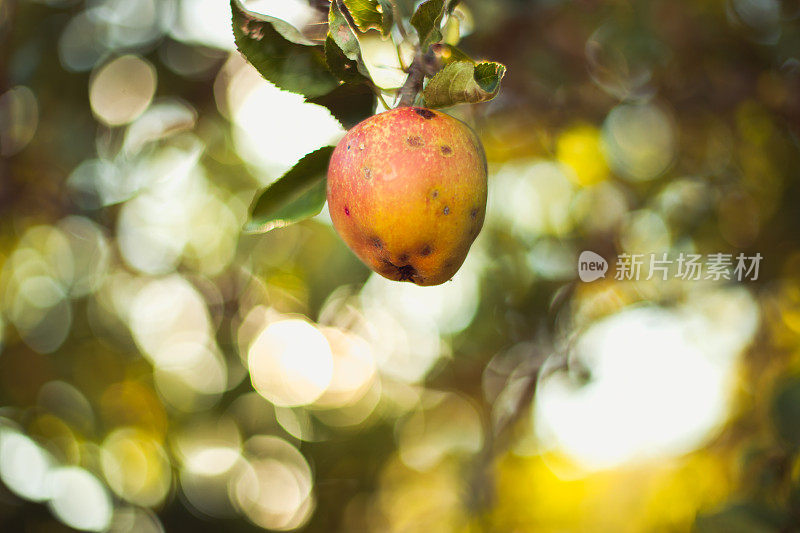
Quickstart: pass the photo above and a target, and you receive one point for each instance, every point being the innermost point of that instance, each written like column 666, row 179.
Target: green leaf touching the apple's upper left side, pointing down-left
column 297, row 195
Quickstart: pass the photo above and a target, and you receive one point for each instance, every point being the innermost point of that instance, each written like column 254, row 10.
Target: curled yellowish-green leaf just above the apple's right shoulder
column 464, row 82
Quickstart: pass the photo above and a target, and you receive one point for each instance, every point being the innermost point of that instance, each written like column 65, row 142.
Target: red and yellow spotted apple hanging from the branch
column 407, row 193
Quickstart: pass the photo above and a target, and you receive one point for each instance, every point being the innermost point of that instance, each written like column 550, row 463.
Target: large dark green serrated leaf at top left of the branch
column 290, row 66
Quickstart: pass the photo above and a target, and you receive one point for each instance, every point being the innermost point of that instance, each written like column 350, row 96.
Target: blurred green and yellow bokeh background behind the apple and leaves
column 161, row 371
